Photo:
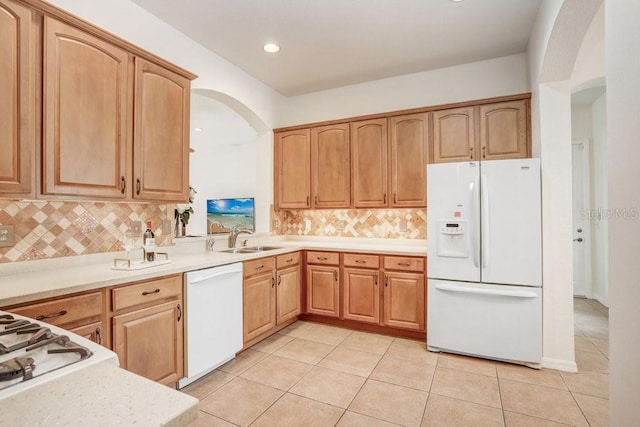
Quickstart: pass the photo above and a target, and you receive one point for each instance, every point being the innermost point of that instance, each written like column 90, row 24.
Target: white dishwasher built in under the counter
column 213, row 321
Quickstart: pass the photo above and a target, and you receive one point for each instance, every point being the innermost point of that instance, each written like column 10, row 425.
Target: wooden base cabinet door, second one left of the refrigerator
column 361, row 300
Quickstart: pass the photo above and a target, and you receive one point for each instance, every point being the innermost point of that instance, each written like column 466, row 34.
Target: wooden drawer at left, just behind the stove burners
column 65, row 311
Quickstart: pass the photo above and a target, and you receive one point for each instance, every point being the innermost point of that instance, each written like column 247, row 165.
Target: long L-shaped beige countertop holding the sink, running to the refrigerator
column 34, row 280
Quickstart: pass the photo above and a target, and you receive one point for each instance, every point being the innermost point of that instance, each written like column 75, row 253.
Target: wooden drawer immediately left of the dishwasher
column 146, row 292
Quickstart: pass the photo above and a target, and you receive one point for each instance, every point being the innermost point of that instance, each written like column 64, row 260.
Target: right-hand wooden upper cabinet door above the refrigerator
column 503, row 130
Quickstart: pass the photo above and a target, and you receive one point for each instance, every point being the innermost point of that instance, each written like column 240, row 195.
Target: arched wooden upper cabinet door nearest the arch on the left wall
column 161, row 133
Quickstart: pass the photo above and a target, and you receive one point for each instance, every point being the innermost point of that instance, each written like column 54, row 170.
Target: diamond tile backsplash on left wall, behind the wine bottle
column 50, row 229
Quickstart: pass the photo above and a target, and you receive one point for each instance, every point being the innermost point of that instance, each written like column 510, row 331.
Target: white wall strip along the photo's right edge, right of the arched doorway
column 623, row 105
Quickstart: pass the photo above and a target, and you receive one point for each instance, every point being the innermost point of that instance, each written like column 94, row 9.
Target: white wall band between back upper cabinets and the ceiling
column 485, row 79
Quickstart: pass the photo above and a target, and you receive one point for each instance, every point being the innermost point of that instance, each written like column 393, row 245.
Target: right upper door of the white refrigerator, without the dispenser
column 511, row 221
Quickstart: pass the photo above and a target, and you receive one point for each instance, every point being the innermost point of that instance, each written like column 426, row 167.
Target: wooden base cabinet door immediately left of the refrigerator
column 404, row 301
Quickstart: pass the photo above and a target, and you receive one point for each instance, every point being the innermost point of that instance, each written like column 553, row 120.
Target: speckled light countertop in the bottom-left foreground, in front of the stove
column 99, row 395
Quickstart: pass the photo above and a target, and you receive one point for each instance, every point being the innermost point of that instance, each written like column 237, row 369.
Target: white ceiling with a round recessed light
column 332, row 43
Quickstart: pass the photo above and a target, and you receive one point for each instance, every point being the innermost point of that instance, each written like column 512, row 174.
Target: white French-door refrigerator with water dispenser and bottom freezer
column 484, row 259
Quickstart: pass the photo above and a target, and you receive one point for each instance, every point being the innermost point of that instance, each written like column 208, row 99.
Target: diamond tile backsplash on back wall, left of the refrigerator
column 374, row 223
